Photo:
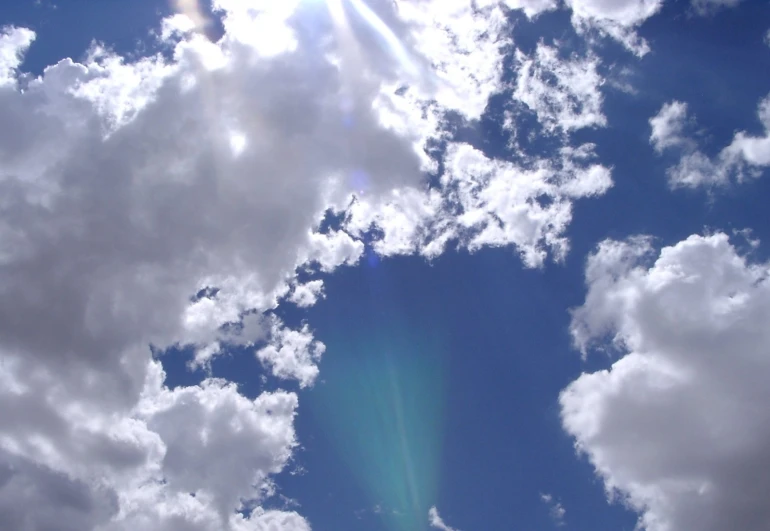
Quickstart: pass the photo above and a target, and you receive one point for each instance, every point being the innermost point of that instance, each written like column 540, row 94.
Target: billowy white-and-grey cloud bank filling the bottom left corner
column 182, row 459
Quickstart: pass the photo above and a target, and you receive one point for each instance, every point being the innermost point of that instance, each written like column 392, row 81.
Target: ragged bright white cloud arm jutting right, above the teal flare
column 487, row 202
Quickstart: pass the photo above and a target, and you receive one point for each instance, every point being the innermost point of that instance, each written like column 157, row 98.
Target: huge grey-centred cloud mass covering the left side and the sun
column 169, row 201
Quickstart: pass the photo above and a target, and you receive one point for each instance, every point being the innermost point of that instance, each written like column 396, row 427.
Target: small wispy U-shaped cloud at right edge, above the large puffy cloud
column 746, row 156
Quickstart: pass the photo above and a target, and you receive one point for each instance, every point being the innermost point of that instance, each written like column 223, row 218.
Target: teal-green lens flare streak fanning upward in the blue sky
column 380, row 403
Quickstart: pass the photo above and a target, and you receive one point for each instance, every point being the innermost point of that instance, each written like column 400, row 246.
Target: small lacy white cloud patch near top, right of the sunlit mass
column 564, row 93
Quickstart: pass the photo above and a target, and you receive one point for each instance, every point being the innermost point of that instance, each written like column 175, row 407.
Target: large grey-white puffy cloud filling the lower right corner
column 676, row 426
